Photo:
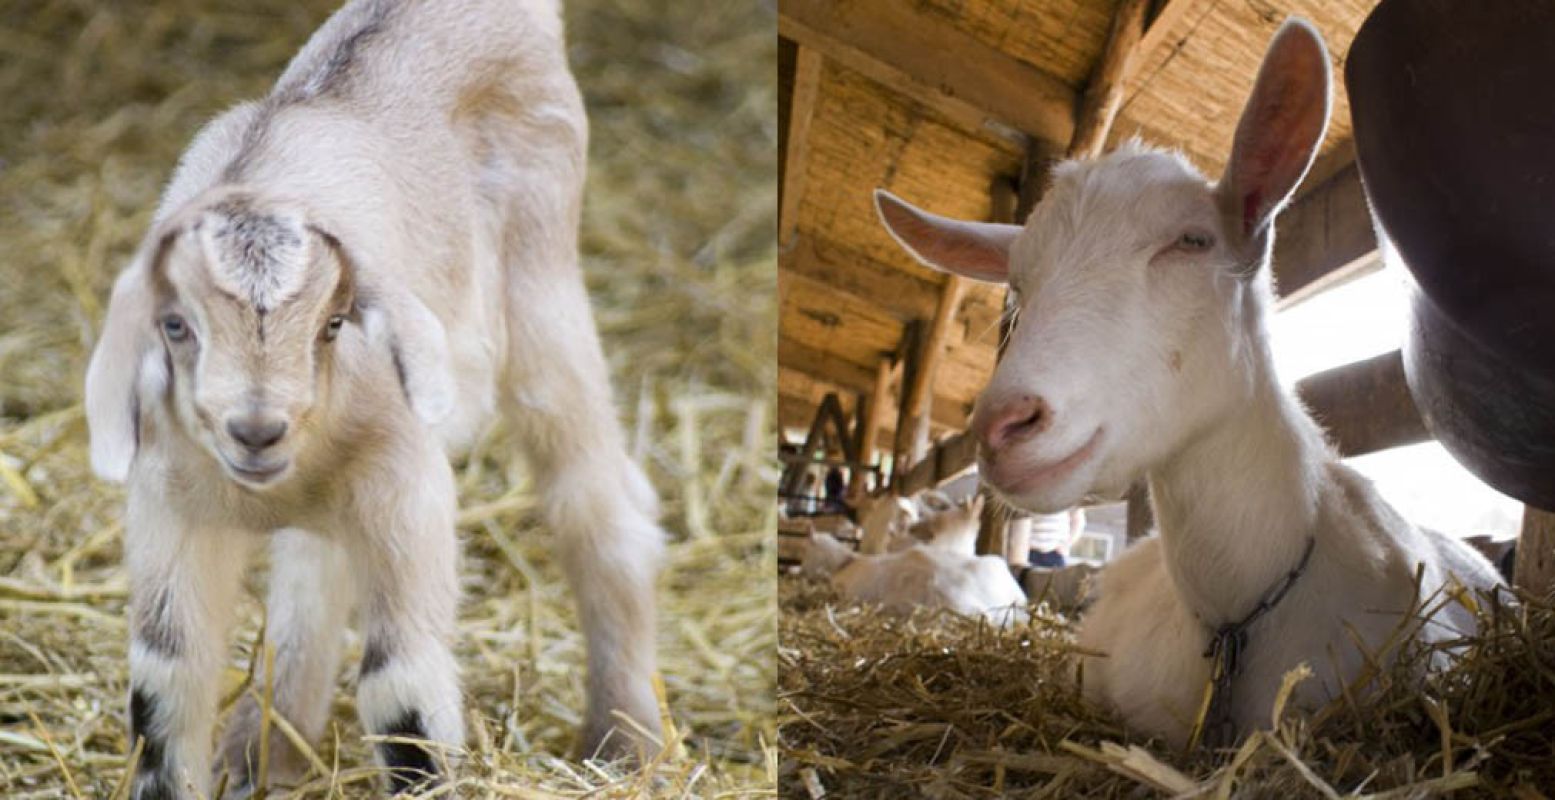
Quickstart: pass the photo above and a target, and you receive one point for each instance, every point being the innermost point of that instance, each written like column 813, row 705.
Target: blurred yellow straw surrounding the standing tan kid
column 99, row 102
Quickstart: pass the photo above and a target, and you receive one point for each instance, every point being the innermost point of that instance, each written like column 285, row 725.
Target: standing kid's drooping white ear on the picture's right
column 396, row 318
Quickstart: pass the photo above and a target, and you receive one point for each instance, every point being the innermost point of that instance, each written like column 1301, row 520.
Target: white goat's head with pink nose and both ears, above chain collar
column 1141, row 292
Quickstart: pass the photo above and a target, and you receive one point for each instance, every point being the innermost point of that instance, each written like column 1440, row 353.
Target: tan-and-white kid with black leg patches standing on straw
column 343, row 281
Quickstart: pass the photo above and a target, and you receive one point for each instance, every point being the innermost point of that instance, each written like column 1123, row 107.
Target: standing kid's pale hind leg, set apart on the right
column 596, row 500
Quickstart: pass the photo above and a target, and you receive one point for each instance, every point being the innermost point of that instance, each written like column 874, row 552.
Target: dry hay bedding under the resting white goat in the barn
column 948, row 707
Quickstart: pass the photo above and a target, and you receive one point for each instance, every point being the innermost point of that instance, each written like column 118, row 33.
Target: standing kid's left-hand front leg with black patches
column 184, row 584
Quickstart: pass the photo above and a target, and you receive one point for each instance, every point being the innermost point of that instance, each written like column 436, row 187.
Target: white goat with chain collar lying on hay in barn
column 1142, row 349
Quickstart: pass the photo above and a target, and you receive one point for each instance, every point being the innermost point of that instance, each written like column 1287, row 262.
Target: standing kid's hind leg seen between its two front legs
column 310, row 600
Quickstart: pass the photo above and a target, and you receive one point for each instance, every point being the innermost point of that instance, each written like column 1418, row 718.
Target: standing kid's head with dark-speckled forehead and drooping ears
column 240, row 312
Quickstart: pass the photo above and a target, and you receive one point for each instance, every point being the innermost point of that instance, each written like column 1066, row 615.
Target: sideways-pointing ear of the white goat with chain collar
column 979, row 251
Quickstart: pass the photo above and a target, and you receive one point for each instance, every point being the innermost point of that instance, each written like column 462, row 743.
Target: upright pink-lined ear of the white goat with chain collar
column 1281, row 130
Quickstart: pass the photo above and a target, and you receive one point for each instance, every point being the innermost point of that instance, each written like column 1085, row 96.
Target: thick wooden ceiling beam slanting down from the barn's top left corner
column 935, row 65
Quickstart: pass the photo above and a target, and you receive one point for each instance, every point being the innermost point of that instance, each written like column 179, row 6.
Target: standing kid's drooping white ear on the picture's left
column 125, row 357
